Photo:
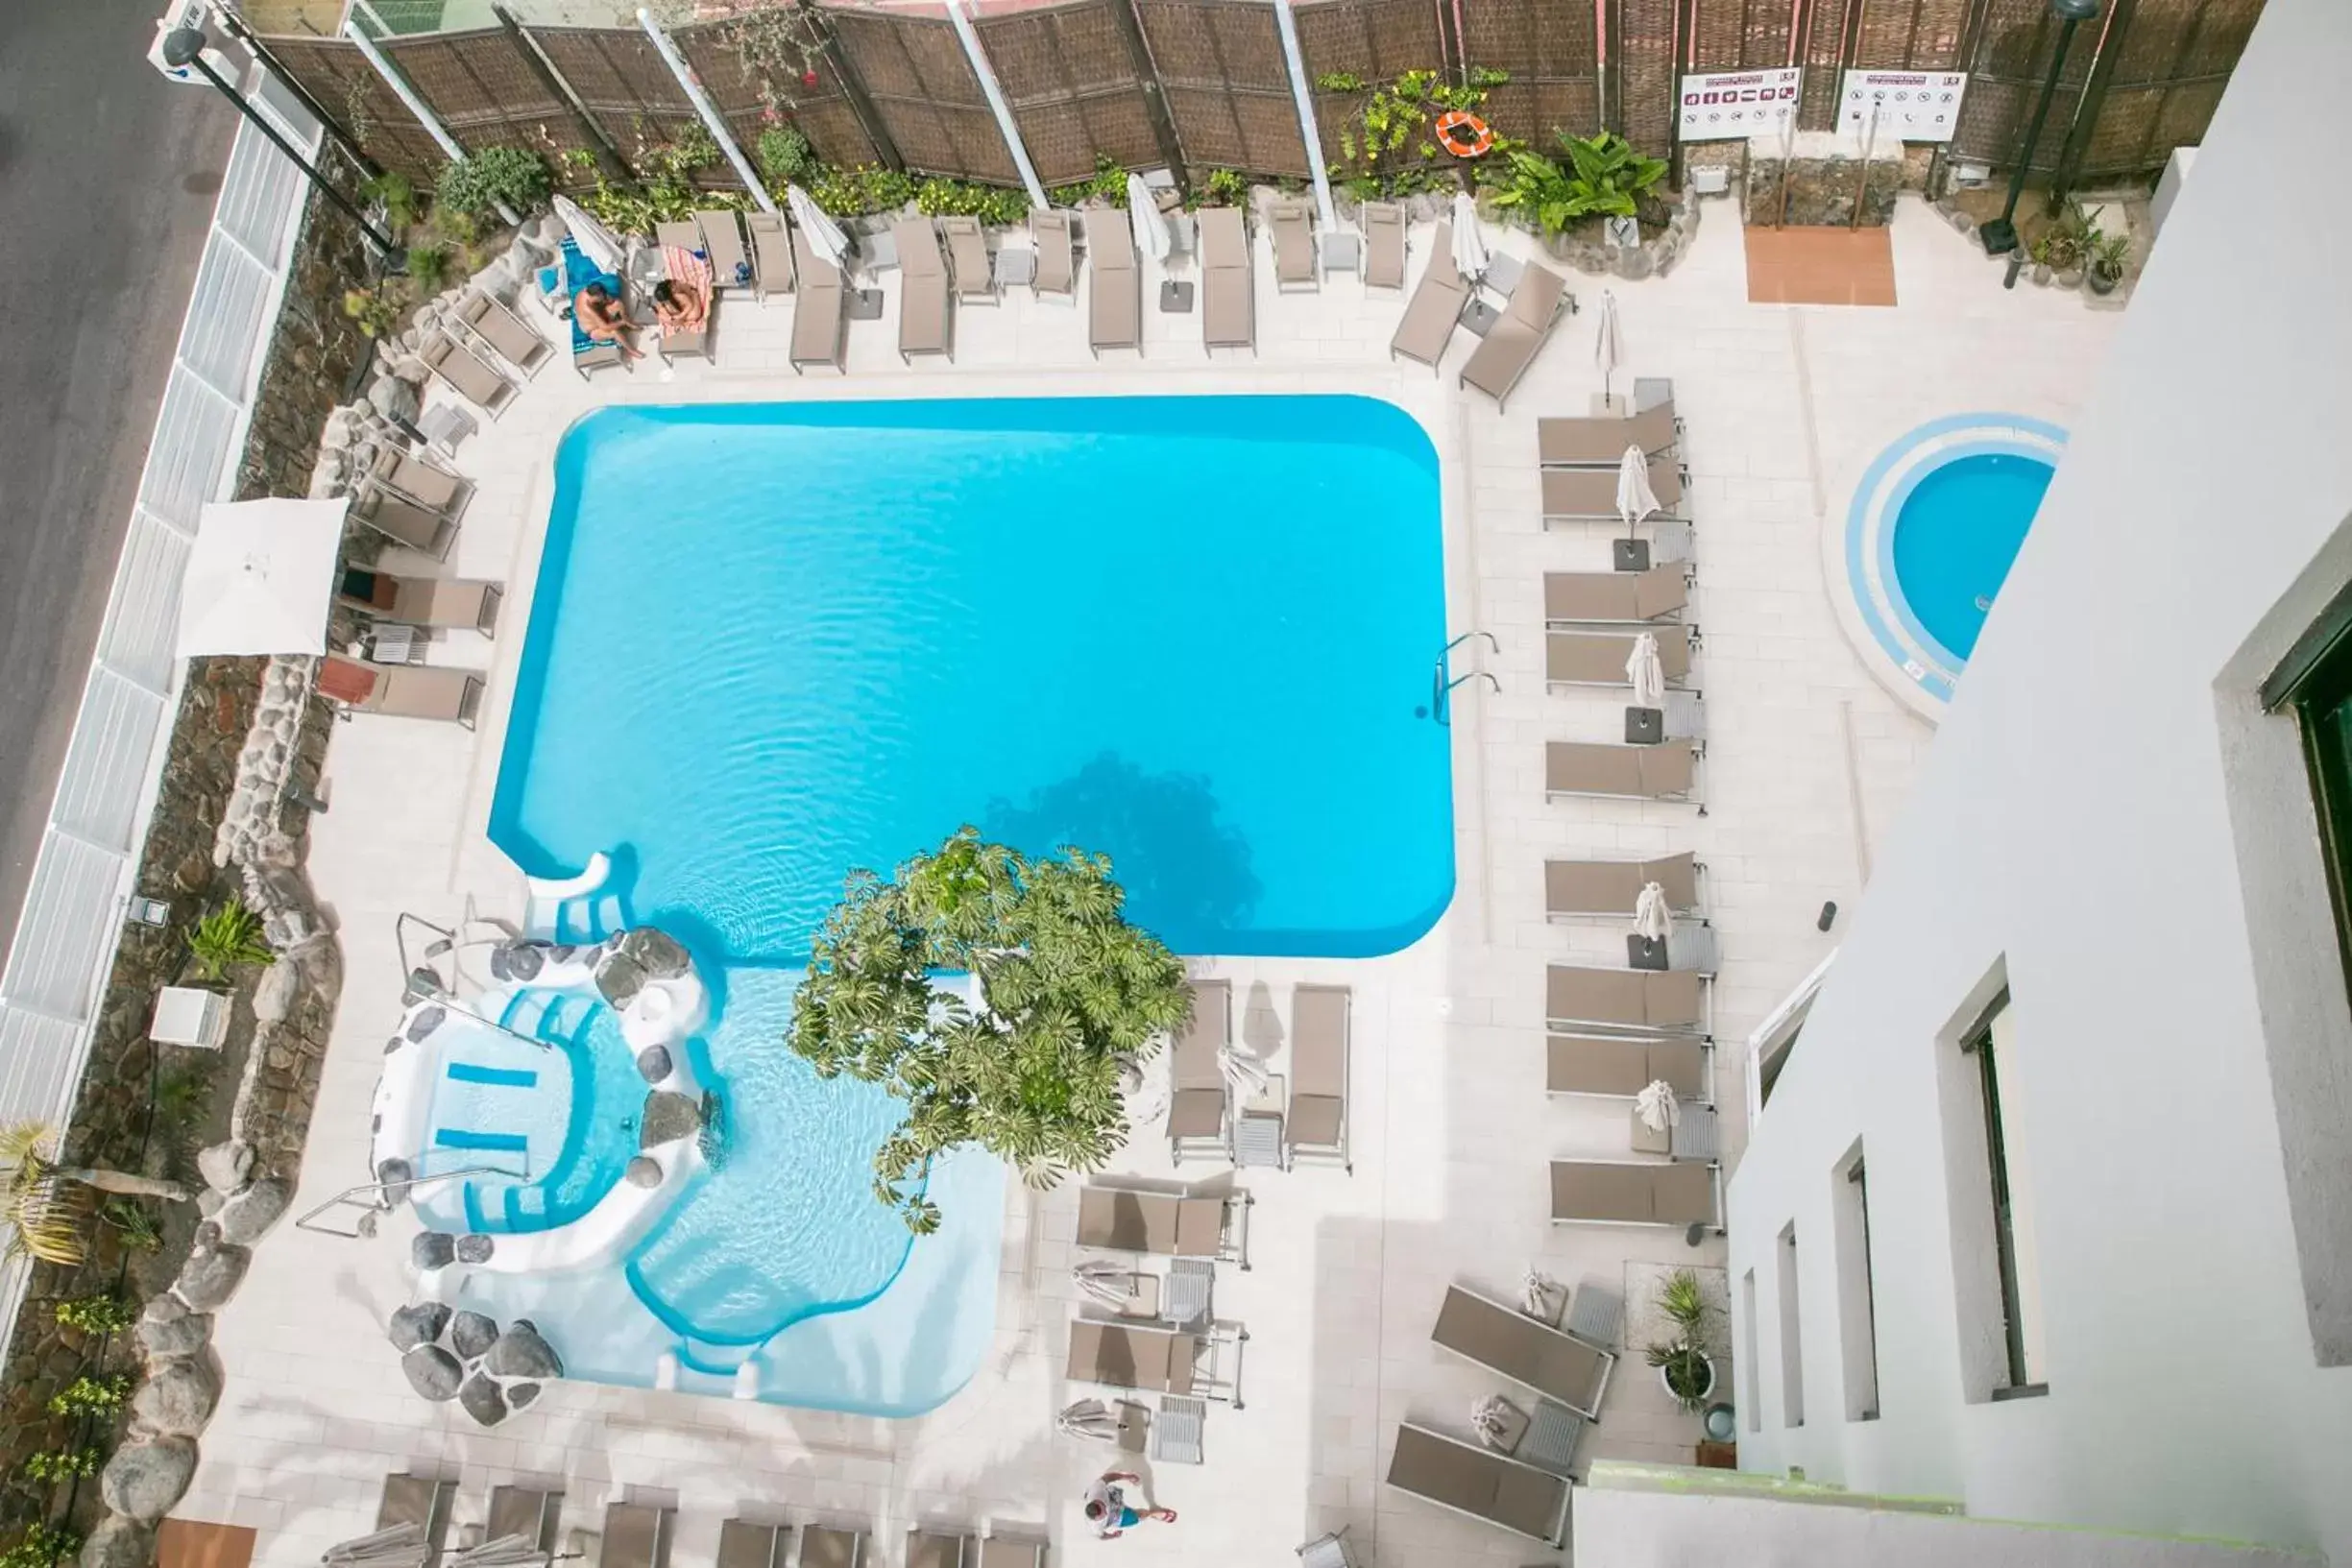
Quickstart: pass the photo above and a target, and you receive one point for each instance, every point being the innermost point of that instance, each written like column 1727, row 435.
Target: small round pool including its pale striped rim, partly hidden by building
column 1927, row 544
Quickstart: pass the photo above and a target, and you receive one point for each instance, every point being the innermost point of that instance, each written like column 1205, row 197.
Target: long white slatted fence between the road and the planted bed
column 88, row 862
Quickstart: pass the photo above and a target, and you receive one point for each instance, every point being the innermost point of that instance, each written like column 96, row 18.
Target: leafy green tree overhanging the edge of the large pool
column 1069, row 996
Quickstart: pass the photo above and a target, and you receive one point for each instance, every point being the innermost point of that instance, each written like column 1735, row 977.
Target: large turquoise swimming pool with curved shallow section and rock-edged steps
column 777, row 643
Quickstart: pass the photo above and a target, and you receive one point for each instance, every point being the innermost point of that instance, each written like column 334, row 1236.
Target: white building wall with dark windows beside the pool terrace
column 2076, row 829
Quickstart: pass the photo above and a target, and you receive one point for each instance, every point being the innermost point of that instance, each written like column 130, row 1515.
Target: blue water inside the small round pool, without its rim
column 1956, row 537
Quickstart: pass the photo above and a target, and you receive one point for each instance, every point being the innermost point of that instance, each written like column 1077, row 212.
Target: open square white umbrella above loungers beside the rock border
column 260, row 577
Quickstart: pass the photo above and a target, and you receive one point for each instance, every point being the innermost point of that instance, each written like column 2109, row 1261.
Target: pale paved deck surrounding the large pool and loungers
column 1808, row 760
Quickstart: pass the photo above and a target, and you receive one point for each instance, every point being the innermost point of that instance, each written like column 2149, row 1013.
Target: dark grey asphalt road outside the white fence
column 107, row 185
